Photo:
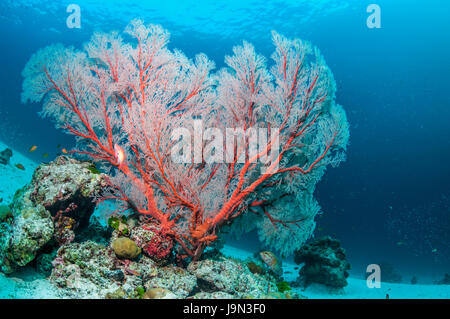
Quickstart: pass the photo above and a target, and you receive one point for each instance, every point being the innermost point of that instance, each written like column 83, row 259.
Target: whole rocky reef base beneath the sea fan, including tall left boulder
column 133, row 259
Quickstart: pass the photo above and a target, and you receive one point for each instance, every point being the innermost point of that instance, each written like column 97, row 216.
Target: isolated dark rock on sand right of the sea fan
column 324, row 263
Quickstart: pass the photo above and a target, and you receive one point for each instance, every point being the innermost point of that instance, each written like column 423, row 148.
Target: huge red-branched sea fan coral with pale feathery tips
column 122, row 101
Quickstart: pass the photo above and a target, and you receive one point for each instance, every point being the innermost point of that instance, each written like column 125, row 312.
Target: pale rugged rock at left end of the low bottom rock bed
column 92, row 270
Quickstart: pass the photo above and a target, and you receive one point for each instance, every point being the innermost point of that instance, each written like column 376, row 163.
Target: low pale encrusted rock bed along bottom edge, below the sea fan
column 91, row 270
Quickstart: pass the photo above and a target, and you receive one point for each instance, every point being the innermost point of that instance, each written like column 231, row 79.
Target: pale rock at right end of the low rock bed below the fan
column 230, row 276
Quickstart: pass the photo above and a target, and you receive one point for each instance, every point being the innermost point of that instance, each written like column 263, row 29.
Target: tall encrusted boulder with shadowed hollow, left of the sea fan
column 50, row 210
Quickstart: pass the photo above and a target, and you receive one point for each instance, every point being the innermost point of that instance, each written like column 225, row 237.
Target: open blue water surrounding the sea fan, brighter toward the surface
column 390, row 201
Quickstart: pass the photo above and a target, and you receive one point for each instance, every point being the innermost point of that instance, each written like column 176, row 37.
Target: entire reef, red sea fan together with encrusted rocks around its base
column 123, row 102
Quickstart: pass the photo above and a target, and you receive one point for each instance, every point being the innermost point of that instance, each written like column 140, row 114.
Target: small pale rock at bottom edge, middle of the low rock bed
column 176, row 279
